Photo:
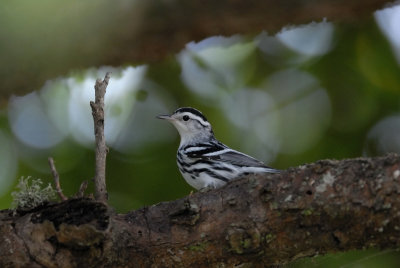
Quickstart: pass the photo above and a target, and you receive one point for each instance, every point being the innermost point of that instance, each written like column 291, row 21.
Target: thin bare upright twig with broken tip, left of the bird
column 101, row 148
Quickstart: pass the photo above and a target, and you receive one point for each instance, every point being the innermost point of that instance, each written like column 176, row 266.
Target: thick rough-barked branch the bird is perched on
column 259, row 220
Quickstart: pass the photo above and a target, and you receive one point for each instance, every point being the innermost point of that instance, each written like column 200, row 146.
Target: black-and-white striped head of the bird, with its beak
column 191, row 124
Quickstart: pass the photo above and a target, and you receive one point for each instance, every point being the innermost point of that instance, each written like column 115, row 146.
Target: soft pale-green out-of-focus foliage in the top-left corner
column 59, row 34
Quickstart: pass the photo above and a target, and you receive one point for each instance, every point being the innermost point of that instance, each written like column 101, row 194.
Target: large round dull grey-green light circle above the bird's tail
column 304, row 109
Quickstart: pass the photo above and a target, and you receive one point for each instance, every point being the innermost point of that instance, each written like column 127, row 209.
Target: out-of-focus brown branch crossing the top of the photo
column 148, row 31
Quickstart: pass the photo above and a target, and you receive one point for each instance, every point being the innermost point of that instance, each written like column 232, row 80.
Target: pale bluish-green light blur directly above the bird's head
column 216, row 66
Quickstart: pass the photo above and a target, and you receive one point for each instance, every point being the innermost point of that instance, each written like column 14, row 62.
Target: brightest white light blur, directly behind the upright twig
column 119, row 103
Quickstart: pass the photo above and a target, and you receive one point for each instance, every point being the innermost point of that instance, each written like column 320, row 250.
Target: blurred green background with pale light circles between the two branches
column 317, row 91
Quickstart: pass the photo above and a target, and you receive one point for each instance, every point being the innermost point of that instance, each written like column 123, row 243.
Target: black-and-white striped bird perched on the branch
column 204, row 162
